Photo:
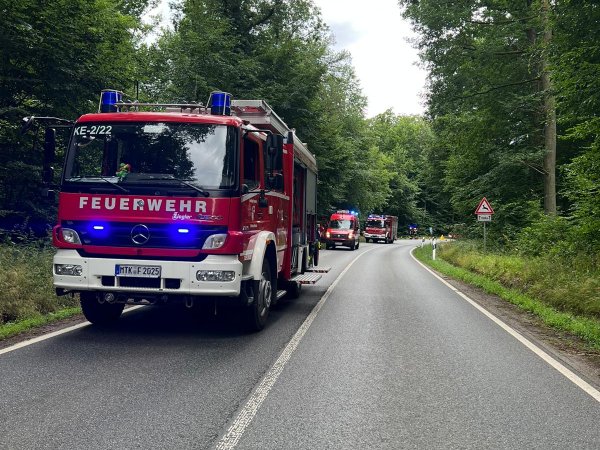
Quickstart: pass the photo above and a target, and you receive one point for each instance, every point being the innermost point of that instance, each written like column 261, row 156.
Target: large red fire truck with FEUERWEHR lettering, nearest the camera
column 183, row 203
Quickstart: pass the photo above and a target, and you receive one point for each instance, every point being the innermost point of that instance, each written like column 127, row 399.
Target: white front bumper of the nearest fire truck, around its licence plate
column 177, row 277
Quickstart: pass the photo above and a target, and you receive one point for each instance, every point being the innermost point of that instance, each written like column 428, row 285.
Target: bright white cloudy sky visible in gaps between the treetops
column 375, row 34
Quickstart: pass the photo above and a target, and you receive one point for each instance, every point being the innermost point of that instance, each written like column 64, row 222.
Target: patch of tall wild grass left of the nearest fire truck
column 27, row 297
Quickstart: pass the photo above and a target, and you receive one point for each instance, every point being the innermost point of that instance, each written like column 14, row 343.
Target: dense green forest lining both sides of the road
column 512, row 104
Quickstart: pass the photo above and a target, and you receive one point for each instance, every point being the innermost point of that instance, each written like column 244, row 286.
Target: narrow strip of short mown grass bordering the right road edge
column 586, row 328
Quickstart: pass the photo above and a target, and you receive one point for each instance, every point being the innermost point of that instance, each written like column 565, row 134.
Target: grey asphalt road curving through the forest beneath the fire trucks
column 384, row 357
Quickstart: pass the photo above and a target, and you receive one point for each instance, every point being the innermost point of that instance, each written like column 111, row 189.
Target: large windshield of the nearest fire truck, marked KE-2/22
column 194, row 155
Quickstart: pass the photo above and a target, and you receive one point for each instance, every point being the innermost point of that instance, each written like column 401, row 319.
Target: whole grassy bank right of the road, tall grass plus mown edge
column 553, row 296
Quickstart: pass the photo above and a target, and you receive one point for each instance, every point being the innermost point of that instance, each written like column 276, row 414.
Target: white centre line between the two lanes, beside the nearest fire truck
column 245, row 416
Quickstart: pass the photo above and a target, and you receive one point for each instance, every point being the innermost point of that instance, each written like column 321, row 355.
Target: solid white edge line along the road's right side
column 578, row 381
